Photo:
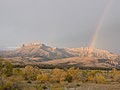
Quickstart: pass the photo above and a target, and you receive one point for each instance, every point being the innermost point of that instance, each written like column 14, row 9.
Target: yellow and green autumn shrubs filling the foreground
column 34, row 78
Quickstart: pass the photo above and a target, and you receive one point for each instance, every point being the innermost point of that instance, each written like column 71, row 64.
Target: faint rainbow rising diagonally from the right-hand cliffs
column 100, row 23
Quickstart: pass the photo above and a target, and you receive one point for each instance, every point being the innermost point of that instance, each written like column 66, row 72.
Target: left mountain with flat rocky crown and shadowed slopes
column 38, row 50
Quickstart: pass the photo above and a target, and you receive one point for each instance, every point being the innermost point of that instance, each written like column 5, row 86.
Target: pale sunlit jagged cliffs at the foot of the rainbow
column 91, row 52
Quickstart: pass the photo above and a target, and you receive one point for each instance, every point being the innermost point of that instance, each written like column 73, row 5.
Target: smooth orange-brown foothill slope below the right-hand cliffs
column 84, row 62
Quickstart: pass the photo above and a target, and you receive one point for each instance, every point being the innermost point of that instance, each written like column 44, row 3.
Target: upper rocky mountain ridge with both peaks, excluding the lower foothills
column 41, row 50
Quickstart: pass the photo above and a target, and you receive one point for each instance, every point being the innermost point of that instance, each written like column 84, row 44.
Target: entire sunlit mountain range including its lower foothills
column 40, row 53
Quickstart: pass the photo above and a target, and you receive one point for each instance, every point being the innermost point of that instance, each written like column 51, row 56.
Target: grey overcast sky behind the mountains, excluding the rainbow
column 59, row 23
